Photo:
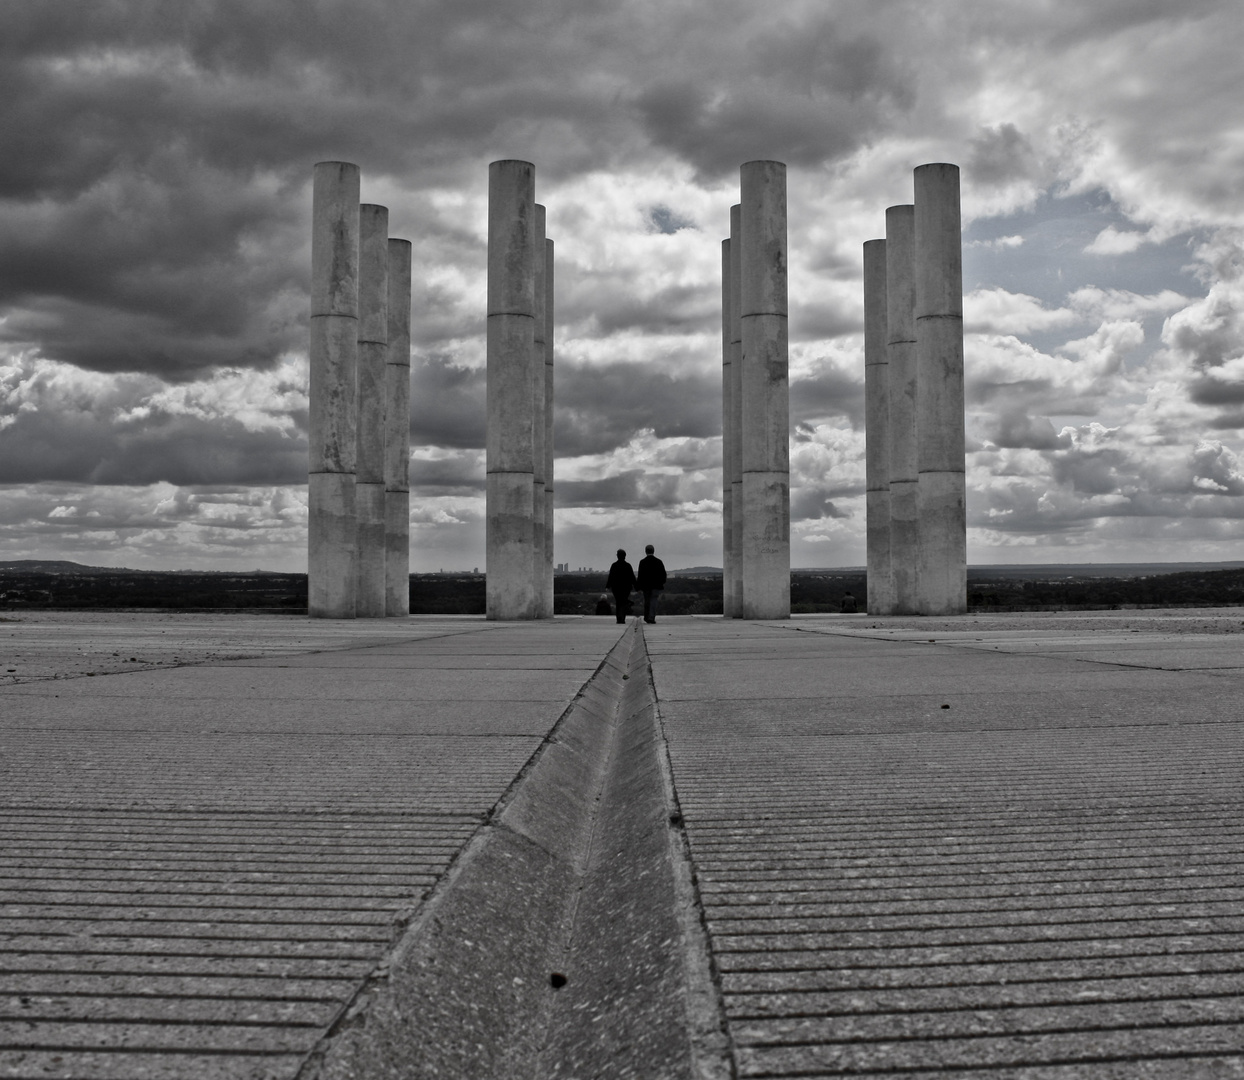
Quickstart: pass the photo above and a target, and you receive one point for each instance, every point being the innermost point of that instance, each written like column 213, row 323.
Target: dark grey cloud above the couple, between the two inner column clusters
column 601, row 407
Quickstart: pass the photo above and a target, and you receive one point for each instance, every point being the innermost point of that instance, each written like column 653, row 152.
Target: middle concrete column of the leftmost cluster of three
column 370, row 404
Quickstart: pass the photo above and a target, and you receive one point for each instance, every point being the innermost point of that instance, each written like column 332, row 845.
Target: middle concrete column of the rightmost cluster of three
column 905, row 533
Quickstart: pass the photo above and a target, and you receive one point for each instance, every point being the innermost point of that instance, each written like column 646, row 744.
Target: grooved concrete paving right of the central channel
column 1014, row 850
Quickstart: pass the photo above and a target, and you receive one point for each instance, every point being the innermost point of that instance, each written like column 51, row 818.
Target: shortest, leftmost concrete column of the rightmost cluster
column 876, row 405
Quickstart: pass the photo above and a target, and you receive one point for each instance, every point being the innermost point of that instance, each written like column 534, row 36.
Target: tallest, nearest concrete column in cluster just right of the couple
column 766, row 393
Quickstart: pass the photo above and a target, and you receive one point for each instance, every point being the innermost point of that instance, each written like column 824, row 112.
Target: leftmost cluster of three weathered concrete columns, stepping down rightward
column 359, row 500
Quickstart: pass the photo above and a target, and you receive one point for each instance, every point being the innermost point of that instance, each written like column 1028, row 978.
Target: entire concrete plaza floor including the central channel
column 828, row 847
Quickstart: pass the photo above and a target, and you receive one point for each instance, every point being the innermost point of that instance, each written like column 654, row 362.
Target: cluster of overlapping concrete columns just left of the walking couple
column 521, row 356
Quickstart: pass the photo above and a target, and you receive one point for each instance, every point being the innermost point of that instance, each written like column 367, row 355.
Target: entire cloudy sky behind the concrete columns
column 155, row 261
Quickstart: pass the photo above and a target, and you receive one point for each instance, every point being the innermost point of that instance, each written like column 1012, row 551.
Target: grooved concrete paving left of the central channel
column 201, row 864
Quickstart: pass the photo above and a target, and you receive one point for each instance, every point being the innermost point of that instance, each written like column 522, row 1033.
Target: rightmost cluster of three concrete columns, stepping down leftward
column 917, row 539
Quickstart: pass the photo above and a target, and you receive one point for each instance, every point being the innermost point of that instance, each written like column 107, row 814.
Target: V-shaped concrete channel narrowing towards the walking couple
column 578, row 874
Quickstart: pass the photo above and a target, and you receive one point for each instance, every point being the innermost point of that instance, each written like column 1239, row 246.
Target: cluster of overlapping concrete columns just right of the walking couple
column 756, row 400
